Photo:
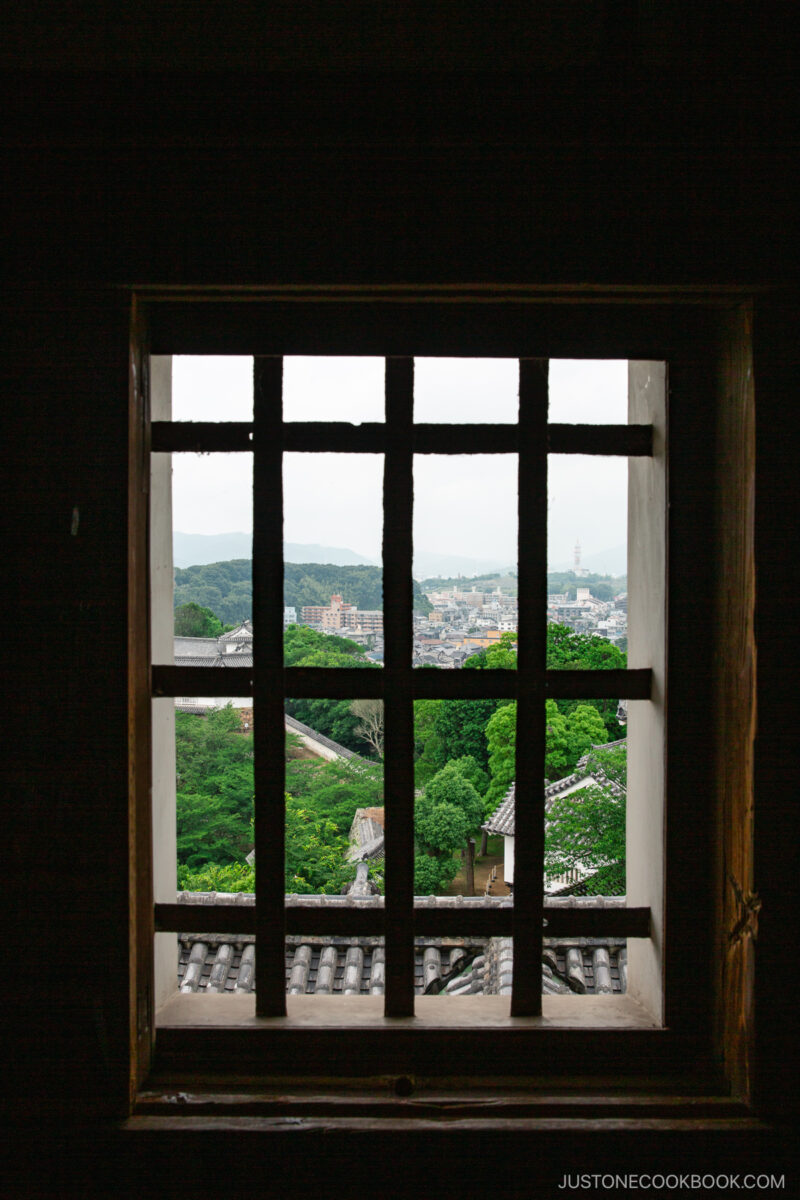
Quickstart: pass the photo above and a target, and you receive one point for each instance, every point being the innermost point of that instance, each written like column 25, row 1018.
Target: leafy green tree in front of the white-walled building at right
column 587, row 829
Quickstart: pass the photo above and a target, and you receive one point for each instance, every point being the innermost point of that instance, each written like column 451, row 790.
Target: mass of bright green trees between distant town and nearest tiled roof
column 465, row 764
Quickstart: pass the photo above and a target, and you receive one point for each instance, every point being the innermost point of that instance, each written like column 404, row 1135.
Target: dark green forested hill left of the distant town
column 227, row 587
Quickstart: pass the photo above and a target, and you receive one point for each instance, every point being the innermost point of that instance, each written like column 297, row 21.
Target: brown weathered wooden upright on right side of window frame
column 737, row 902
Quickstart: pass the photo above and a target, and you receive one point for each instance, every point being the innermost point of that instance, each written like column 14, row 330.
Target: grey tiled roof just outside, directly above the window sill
column 452, row 967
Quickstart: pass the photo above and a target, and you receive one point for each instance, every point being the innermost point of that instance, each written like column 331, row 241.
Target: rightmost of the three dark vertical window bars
column 530, row 807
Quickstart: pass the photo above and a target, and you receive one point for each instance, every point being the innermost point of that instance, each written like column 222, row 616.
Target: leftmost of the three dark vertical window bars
column 268, row 687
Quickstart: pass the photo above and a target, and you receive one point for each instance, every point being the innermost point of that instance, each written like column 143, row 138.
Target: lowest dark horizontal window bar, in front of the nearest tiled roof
column 350, row 921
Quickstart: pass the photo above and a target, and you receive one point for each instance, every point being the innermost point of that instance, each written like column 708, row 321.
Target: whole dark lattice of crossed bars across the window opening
column 399, row 683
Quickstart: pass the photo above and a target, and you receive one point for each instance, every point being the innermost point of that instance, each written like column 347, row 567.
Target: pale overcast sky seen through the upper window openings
column 464, row 505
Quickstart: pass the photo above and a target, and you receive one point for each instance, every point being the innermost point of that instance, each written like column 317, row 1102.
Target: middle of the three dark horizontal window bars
column 358, row 683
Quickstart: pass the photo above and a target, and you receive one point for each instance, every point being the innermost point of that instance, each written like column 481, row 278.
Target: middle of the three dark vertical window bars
column 399, row 634
